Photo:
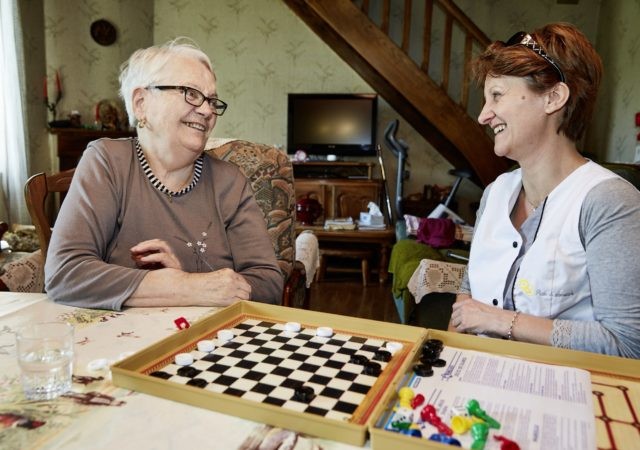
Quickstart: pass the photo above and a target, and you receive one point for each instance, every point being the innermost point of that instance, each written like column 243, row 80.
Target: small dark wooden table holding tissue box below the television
column 383, row 239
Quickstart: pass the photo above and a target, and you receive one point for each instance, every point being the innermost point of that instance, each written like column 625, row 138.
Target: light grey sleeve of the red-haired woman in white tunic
column 610, row 232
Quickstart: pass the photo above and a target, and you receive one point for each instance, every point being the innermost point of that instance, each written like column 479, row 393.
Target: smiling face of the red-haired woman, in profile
column 516, row 115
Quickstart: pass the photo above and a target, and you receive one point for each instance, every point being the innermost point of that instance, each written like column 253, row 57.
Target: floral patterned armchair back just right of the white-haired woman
column 271, row 176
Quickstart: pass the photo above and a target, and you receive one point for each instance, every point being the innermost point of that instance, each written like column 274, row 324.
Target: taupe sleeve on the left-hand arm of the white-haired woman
column 75, row 271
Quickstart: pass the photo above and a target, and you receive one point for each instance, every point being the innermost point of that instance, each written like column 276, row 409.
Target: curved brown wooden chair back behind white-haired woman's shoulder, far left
column 36, row 191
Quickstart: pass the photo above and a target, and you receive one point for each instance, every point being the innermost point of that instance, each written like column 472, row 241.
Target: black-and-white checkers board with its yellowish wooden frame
column 256, row 374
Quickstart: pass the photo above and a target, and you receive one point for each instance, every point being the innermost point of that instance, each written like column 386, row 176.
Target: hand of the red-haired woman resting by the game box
column 472, row 316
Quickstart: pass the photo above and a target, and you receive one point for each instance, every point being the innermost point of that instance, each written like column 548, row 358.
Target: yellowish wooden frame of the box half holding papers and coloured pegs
column 605, row 370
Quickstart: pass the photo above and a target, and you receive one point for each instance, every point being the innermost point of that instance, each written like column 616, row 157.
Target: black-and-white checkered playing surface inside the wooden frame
column 265, row 362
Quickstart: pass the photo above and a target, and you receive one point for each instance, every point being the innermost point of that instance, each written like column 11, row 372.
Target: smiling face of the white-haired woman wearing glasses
column 172, row 123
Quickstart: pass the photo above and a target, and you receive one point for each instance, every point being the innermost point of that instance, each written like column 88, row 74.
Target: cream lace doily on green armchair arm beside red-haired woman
column 435, row 276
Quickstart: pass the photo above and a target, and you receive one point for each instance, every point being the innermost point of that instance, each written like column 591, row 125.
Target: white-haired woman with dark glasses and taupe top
column 158, row 202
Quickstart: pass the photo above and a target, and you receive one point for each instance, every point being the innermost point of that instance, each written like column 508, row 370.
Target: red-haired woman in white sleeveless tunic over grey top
column 554, row 258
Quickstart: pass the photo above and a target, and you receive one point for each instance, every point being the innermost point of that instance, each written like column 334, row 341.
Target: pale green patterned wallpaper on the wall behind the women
column 261, row 51
